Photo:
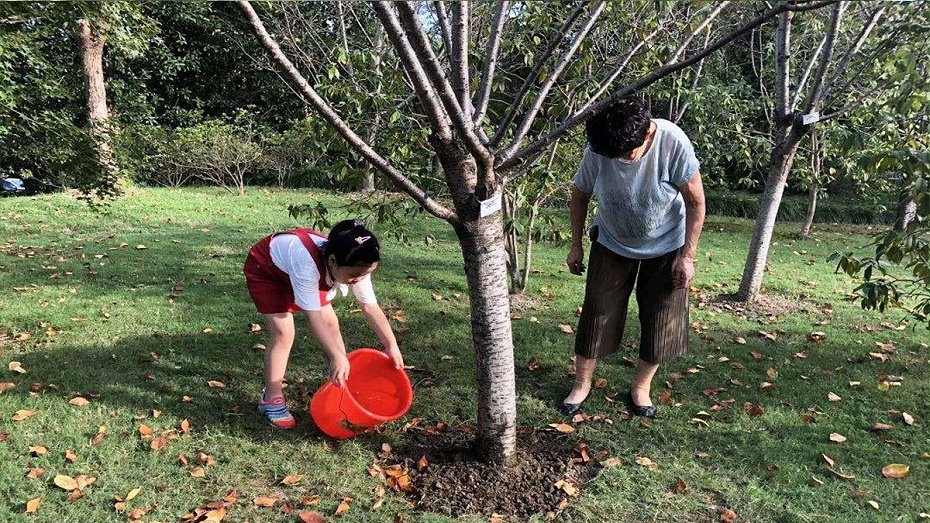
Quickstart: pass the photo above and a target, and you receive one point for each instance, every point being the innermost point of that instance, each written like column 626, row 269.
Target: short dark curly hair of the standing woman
column 619, row 128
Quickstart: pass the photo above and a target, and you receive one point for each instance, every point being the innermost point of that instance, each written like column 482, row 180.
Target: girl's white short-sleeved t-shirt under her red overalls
column 290, row 255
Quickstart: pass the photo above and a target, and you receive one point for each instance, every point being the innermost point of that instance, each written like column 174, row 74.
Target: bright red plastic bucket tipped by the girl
column 375, row 393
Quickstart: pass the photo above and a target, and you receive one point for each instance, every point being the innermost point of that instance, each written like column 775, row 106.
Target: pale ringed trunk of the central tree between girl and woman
column 482, row 242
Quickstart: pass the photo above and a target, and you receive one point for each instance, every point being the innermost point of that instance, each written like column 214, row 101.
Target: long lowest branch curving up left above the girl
column 327, row 112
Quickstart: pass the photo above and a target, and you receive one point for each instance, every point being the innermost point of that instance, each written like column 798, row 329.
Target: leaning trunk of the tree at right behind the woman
column 779, row 166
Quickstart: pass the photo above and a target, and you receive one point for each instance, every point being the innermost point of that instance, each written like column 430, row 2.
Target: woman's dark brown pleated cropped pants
column 663, row 310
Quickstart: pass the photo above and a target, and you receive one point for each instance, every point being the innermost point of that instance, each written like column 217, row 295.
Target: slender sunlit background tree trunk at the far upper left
column 92, row 44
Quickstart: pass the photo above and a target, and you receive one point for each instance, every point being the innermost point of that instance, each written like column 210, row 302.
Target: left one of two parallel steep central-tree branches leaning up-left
column 408, row 57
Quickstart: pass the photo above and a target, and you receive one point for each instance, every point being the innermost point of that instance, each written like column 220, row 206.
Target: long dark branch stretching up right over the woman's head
column 584, row 114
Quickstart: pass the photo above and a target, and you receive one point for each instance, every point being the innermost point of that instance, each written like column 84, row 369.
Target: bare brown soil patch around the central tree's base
column 548, row 474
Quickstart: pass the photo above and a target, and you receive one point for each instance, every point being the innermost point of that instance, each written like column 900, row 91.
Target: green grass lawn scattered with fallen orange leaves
column 137, row 307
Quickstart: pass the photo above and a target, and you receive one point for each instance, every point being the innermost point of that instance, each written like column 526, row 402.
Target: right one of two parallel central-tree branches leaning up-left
column 463, row 126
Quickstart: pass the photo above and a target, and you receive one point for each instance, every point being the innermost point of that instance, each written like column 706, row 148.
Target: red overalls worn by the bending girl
column 269, row 286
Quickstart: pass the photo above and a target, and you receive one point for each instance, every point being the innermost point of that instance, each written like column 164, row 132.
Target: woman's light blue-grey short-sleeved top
column 641, row 211
